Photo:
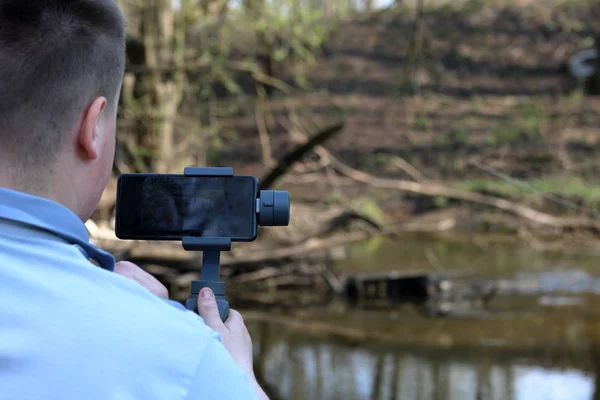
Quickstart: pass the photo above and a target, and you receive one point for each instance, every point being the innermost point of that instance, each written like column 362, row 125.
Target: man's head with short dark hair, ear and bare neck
column 61, row 68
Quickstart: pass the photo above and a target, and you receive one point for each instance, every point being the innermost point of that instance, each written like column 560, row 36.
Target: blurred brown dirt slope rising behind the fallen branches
column 487, row 85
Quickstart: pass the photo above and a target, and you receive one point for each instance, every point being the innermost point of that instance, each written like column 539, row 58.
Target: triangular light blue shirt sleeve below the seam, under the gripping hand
column 219, row 377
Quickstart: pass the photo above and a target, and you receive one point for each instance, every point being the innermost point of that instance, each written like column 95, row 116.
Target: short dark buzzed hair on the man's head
column 56, row 56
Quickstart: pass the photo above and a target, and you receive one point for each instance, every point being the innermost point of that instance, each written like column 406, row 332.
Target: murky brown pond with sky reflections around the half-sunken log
column 525, row 346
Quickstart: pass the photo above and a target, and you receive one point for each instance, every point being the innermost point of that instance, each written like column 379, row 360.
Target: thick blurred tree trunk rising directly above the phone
column 158, row 86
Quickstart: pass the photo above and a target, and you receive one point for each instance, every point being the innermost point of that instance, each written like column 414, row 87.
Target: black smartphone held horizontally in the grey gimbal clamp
column 170, row 207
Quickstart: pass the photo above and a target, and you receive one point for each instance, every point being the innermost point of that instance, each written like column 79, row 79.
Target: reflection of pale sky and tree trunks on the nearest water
column 302, row 368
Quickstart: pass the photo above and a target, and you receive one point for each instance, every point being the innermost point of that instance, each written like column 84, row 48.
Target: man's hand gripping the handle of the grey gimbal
column 234, row 335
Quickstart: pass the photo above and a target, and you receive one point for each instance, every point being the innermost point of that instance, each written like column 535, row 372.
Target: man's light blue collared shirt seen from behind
column 70, row 330
